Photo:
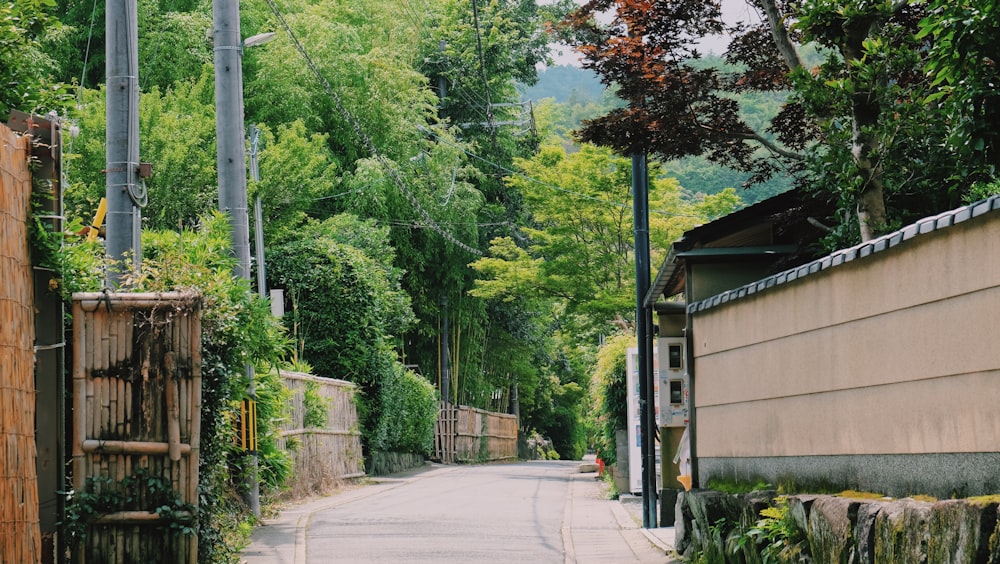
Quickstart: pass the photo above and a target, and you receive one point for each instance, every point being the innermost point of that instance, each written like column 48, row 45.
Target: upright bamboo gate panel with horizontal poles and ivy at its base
column 136, row 425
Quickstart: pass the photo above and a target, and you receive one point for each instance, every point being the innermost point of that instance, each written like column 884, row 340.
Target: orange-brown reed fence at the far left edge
column 20, row 536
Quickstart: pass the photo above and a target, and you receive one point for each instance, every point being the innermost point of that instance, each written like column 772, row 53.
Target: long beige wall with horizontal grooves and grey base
column 882, row 372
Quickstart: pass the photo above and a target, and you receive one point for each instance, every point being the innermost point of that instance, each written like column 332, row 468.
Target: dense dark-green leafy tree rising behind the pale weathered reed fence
column 346, row 305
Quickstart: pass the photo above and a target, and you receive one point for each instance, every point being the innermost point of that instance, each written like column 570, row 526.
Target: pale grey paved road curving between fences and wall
column 527, row 512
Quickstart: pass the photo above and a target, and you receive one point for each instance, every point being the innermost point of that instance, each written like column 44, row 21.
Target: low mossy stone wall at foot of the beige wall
column 838, row 529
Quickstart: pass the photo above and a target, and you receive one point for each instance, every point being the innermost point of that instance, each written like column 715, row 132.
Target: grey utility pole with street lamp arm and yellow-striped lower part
column 232, row 169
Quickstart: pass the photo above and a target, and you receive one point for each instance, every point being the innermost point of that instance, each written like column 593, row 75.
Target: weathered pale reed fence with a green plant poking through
column 322, row 456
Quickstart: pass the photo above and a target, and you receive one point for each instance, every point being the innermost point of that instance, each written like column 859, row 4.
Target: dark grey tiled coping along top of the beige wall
column 922, row 227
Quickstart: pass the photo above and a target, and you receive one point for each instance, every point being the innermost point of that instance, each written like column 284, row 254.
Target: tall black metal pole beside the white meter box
column 640, row 207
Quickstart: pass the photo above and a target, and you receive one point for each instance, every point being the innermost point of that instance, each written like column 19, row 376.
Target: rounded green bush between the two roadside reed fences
column 409, row 411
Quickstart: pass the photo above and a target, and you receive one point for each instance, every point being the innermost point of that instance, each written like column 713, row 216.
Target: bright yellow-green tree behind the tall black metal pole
column 580, row 249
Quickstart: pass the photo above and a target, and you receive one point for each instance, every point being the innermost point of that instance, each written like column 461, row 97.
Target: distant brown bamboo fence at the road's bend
column 467, row 434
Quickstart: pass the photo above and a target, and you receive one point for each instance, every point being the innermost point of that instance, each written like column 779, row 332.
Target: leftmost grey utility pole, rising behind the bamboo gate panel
column 122, row 136
